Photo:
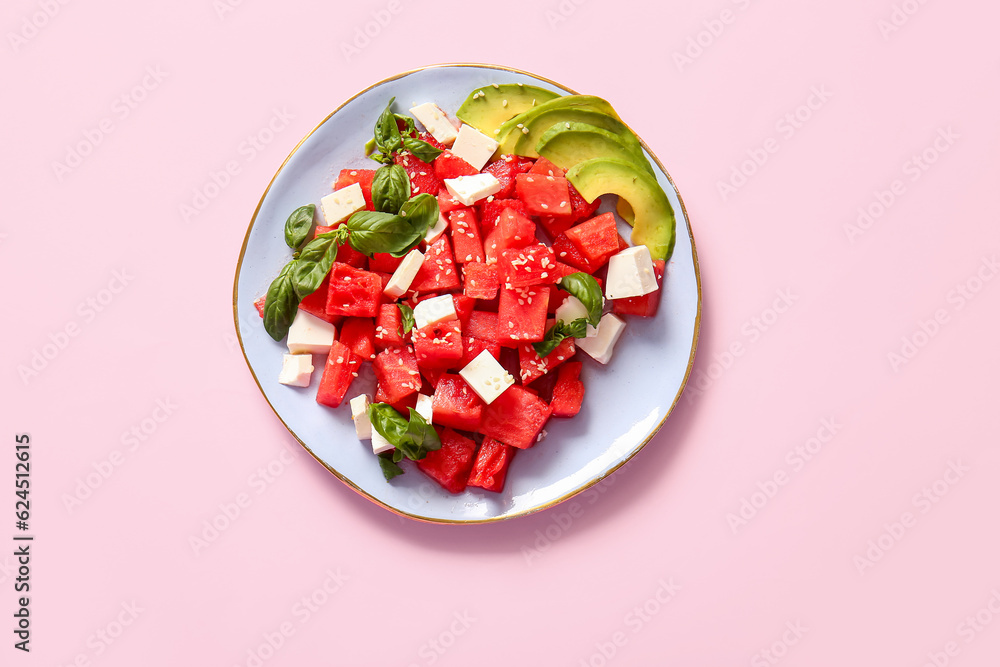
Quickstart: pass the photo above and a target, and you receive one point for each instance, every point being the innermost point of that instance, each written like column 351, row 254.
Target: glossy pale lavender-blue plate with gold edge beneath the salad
column 626, row 402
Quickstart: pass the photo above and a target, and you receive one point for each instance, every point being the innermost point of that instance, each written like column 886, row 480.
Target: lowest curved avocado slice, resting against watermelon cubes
column 654, row 216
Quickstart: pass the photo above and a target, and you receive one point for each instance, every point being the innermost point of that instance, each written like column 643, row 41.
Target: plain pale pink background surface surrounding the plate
column 844, row 562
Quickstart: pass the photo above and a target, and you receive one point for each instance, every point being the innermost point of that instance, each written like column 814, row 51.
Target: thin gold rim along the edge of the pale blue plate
column 350, row 484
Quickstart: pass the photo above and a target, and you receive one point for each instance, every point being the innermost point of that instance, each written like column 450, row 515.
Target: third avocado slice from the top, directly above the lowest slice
column 567, row 144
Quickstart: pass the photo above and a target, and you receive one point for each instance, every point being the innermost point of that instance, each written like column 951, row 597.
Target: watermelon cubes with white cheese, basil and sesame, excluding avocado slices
column 481, row 287
